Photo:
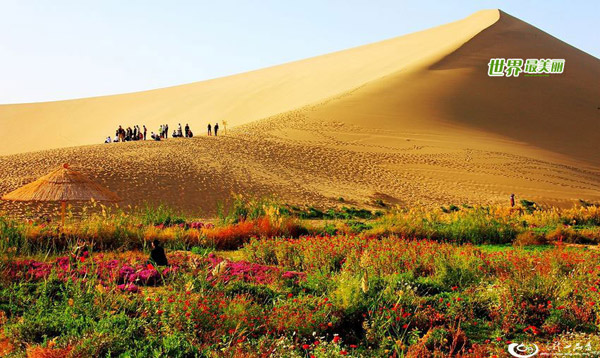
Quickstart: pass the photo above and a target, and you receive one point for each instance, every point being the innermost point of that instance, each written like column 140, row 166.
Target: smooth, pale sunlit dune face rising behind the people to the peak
column 239, row 99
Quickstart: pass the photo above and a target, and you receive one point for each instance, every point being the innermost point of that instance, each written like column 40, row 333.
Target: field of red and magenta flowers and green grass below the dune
column 266, row 279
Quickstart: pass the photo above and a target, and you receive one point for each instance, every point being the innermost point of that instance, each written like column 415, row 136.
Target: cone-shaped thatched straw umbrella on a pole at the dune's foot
column 62, row 184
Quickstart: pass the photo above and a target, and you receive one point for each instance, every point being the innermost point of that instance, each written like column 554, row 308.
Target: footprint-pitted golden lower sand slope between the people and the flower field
column 304, row 166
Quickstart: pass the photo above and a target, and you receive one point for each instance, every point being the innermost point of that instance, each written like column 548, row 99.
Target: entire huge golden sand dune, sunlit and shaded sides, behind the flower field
column 413, row 120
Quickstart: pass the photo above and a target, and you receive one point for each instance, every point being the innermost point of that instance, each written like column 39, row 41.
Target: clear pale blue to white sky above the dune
column 59, row 49
